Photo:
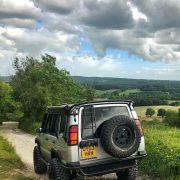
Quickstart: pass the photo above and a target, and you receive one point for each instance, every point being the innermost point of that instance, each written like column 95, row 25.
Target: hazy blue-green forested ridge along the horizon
column 107, row 83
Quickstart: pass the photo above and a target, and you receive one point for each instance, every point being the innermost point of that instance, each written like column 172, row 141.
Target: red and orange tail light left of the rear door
column 73, row 135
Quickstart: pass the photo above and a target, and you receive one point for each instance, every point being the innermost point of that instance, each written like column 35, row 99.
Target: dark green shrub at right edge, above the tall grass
column 172, row 118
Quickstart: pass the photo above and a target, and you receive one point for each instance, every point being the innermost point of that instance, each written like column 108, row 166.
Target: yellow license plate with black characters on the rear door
column 88, row 152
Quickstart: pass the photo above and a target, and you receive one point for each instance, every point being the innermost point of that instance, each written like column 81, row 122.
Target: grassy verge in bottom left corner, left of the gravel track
column 11, row 166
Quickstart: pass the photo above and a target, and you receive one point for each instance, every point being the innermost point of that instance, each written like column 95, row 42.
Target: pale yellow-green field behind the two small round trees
column 141, row 110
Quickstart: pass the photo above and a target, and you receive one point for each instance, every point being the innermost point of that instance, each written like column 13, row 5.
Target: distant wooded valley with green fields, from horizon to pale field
column 142, row 92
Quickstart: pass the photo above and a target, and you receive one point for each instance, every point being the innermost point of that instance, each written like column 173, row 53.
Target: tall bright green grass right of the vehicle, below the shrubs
column 163, row 148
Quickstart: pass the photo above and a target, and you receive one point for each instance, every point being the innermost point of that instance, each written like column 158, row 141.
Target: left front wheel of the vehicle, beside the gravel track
column 39, row 166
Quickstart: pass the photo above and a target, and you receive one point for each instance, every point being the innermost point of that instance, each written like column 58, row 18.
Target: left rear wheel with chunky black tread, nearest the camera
column 57, row 171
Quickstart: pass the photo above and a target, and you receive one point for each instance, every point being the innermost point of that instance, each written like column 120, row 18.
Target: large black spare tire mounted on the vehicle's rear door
column 120, row 136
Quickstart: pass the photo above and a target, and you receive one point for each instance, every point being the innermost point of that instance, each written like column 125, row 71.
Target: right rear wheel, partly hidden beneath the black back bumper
column 127, row 174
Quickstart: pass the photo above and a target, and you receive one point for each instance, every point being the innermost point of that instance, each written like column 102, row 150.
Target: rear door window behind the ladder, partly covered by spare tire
column 93, row 117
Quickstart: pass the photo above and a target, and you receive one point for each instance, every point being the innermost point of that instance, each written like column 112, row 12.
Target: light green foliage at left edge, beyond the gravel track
column 9, row 109
